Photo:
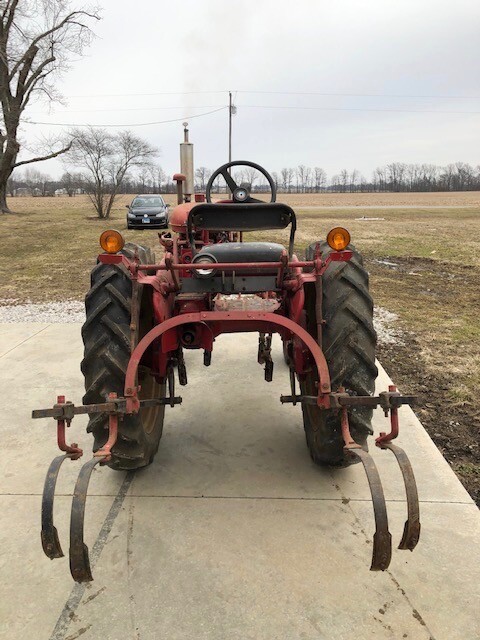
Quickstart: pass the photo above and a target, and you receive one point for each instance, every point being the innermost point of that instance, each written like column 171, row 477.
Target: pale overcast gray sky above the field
column 376, row 49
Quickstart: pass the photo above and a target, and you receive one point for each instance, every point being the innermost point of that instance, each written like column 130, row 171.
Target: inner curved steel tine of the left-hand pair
column 79, row 560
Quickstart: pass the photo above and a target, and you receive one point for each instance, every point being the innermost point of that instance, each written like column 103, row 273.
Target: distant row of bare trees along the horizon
column 152, row 178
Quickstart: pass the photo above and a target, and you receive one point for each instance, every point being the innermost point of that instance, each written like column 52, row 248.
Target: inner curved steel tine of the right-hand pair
column 382, row 539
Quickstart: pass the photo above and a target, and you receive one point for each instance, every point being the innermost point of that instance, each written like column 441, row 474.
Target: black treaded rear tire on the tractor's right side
column 348, row 342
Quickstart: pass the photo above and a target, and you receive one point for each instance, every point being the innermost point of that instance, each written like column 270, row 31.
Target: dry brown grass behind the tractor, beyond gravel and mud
column 50, row 245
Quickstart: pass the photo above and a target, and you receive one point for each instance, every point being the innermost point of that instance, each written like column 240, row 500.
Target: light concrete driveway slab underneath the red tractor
column 232, row 533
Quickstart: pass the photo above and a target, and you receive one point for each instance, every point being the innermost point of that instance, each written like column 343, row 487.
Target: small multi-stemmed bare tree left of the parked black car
column 106, row 159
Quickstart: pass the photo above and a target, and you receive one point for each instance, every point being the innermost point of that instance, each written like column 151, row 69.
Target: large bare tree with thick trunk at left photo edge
column 37, row 39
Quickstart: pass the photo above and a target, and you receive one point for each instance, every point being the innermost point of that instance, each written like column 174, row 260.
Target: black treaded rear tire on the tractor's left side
column 107, row 341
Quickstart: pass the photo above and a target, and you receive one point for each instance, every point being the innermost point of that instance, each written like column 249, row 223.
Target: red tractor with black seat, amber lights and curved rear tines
column 141, row 314
